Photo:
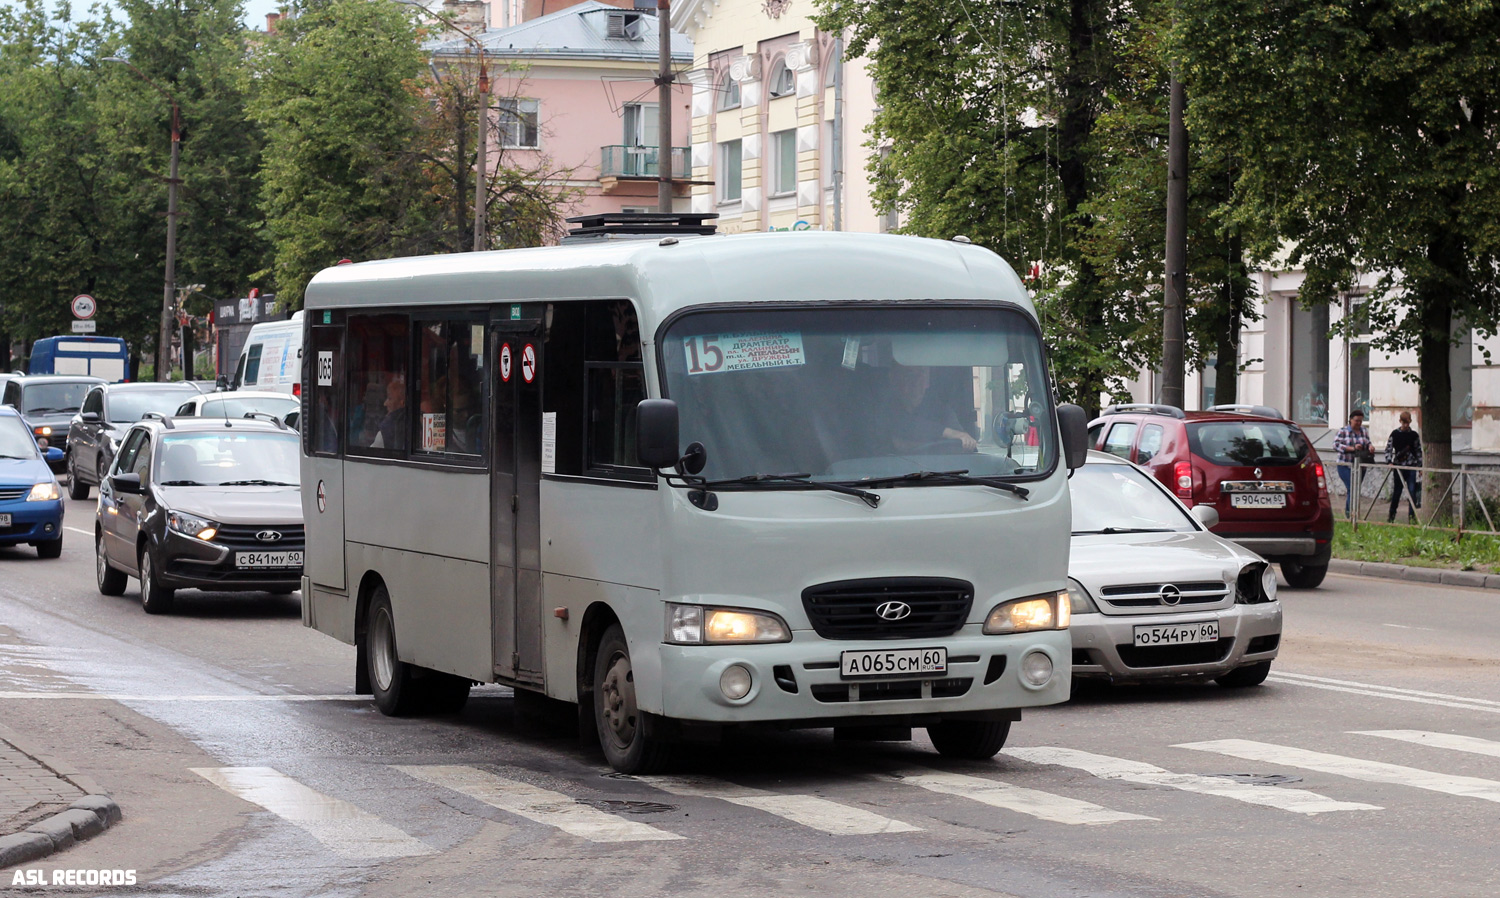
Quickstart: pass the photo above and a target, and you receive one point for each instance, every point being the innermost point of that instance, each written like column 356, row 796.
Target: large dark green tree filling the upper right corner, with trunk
column 1366, row 137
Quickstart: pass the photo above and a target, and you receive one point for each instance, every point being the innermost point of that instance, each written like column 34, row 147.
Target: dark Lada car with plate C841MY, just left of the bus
column 202, row 503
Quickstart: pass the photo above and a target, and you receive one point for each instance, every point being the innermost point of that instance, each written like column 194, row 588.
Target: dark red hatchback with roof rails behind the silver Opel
column 1253, row 467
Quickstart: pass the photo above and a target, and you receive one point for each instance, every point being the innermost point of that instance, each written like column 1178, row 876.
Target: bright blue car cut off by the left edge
column 31, row 503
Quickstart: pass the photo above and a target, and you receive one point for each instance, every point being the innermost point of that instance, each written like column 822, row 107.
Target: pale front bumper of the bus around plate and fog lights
column 799, row 684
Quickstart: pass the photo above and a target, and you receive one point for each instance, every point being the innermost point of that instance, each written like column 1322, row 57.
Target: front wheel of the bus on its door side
column 634, row 741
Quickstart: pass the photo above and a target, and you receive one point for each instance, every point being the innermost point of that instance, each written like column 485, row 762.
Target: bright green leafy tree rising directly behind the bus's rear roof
column 340, row 94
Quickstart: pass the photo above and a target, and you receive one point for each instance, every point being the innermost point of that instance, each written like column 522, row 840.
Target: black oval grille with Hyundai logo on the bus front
column 848, row 609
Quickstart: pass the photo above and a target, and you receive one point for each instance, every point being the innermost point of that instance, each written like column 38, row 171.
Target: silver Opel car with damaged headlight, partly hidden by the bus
column 1156, row 596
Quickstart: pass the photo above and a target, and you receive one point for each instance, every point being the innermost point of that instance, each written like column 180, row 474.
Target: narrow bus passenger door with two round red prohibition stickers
column 515, row 500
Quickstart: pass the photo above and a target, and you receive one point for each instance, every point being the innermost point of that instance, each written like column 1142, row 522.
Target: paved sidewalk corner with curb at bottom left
column 46, row 806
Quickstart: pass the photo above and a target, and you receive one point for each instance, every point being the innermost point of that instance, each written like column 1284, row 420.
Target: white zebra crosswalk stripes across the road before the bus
column 880, row 804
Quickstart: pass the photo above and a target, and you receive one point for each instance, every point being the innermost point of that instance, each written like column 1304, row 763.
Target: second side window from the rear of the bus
column 379, row 358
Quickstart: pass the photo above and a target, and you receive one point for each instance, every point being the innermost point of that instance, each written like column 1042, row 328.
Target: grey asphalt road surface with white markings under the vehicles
column 1369, row 765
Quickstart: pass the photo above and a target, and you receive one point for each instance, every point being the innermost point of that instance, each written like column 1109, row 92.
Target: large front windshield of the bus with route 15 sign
column 863, row 394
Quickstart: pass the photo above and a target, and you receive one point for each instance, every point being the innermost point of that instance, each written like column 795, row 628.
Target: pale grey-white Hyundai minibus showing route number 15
column 692, row 485
